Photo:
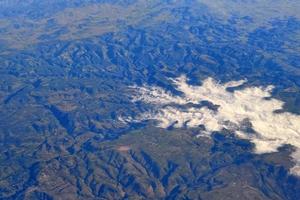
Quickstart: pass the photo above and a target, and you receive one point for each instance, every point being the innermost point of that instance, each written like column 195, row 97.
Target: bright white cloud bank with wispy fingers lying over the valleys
column 248, row 112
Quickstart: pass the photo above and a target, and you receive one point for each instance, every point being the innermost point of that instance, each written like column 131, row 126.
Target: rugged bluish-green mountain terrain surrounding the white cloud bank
column 66, row 68
